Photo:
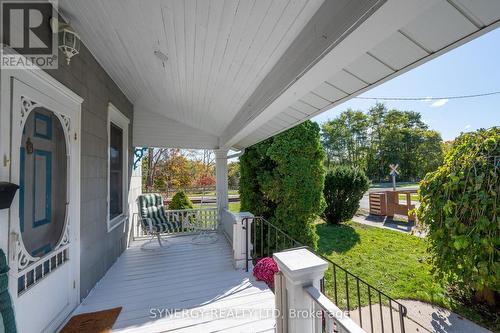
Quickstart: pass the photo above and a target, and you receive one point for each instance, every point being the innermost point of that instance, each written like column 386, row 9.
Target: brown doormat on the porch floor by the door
column 92, row 322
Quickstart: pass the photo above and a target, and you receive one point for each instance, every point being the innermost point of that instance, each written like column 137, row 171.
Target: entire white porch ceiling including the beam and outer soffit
column 236, row 69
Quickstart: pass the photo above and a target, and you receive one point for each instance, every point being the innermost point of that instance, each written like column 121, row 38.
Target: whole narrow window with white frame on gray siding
column 117, row 167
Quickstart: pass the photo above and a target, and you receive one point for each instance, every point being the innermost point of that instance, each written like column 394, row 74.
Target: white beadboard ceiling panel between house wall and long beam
column 218, row 50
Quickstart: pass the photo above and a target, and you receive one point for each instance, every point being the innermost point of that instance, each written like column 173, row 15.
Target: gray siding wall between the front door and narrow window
column 99, row 249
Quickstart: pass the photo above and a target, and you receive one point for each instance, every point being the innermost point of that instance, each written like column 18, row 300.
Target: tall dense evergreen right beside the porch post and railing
column 282, row 180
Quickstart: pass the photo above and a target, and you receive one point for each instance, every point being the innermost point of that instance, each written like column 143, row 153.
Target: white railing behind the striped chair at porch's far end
column 199, row 219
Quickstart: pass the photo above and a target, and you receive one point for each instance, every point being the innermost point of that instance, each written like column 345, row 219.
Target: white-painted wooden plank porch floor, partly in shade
column 197, row 284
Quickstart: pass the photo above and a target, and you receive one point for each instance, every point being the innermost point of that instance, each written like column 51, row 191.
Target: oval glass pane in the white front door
column 43, row 182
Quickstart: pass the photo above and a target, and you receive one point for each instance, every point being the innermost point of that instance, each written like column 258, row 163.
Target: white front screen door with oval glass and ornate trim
column 44, row 218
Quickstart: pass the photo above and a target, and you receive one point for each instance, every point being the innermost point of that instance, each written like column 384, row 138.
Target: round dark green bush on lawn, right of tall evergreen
column 344, row 188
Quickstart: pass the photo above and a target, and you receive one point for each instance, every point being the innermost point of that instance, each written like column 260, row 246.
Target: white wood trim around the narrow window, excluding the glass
column 116, row 117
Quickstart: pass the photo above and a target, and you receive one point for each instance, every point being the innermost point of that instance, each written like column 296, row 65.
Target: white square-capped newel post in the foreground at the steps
column 300, row 268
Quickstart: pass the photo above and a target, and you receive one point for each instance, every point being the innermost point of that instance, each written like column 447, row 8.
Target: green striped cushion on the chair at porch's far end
column 151, row 207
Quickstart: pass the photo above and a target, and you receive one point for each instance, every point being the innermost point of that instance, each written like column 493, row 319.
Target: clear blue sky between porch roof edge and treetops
column 469, row 69
